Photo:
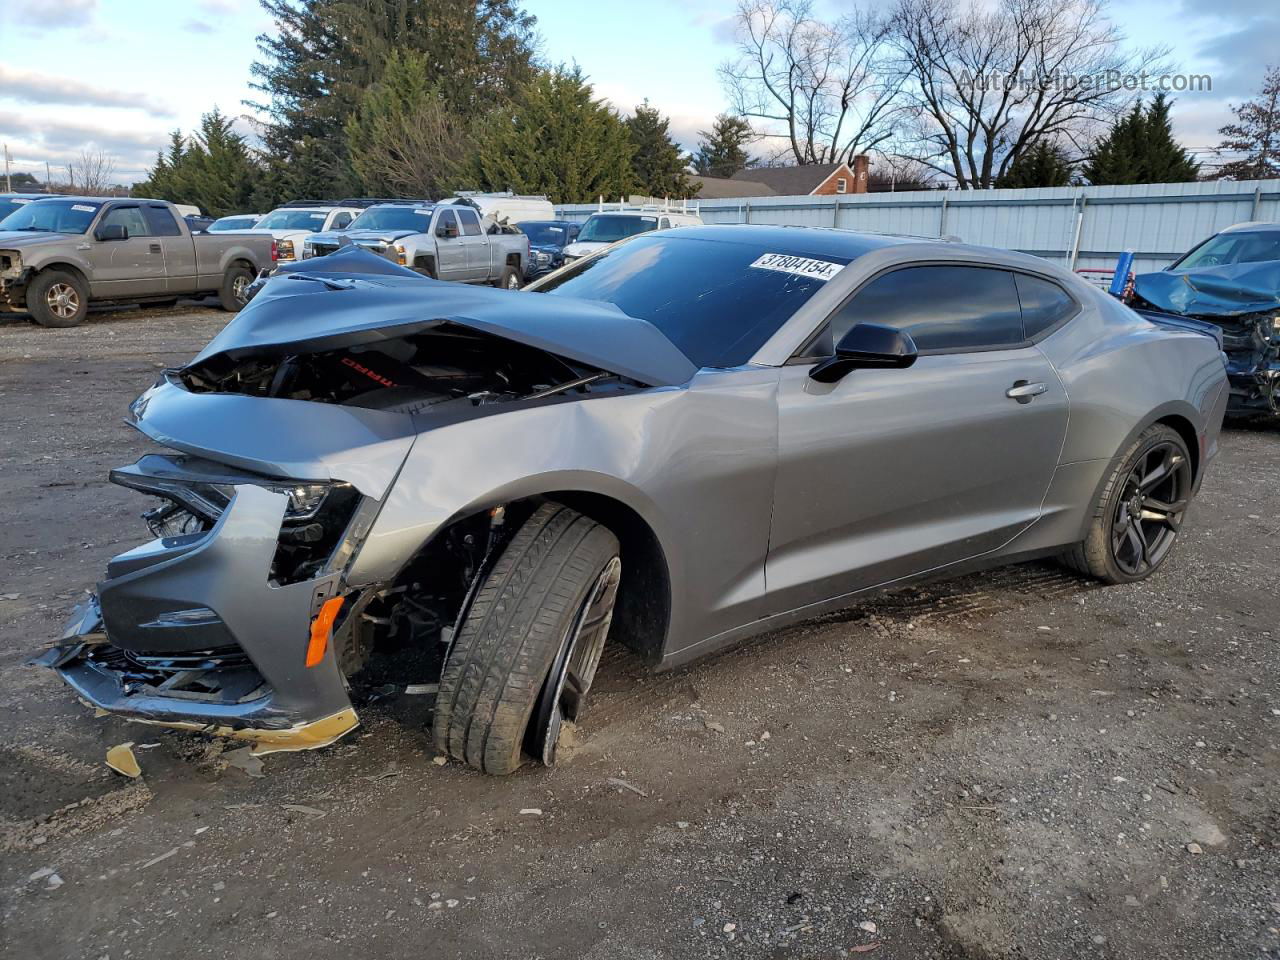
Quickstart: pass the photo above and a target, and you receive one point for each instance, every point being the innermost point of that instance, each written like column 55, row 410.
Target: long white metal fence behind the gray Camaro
column 1078, row 227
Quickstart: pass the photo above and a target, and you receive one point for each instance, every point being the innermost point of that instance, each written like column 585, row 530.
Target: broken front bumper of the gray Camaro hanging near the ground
column 212, row 629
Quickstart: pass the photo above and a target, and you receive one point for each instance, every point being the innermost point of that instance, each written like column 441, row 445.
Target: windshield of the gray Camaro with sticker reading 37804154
column 712, row 299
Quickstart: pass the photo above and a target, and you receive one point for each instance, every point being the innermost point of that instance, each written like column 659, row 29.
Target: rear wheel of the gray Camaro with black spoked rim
column 1140, row 513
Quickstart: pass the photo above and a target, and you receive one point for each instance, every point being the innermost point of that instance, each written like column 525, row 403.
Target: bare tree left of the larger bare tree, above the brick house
column 819, row 86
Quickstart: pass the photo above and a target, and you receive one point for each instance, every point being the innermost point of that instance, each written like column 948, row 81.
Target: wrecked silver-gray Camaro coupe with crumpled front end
column 373, row 478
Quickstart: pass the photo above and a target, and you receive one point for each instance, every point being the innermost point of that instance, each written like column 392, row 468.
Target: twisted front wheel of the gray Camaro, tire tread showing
column 527, row 653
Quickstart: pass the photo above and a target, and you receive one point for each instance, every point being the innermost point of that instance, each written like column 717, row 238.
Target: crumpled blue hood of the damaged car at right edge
column 1233, row 290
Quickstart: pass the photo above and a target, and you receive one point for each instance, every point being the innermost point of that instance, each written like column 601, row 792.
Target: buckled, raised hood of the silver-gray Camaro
column 354, row 298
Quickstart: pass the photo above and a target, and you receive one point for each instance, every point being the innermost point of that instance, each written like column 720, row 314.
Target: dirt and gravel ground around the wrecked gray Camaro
column 1017, row 765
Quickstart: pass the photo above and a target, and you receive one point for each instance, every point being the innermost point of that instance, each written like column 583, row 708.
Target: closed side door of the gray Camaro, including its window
column 892, row 473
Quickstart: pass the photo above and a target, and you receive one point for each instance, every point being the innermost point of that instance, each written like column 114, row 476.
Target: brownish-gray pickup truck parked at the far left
column 61, row 254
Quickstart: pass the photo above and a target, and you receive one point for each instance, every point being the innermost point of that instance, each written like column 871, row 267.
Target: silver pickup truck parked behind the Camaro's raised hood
column 444, row 241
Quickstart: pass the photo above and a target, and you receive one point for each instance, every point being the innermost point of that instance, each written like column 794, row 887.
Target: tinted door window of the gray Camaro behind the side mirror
column 943, row 308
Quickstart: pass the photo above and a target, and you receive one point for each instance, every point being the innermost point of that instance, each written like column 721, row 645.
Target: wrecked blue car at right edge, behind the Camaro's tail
column 1233, row 282
